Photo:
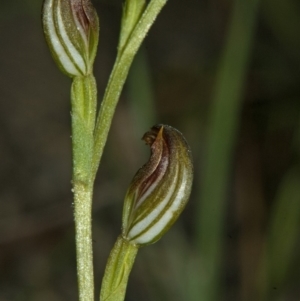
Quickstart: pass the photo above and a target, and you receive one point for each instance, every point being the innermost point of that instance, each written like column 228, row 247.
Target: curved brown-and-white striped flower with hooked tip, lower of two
column 160, row 190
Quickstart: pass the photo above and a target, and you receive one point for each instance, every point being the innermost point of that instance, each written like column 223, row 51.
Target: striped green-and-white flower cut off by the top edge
column 71, row 28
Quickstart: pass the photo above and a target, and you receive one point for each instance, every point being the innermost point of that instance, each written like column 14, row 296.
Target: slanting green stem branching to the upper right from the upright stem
column 118, row 76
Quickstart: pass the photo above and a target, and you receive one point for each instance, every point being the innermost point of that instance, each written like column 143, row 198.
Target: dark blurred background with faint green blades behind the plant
column 227, row 75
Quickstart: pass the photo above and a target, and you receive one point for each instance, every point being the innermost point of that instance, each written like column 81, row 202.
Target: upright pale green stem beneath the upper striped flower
column 84, row 98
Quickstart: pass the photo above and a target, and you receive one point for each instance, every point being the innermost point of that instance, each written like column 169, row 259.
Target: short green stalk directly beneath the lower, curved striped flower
column 117, row 270
